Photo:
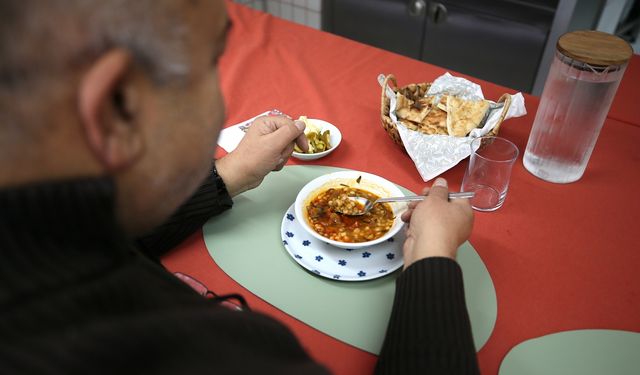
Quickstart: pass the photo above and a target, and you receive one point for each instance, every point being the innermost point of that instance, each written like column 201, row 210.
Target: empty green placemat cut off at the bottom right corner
column 584, row 352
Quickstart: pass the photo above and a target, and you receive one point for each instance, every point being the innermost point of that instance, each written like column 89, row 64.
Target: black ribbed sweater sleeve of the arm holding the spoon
column 429, row 331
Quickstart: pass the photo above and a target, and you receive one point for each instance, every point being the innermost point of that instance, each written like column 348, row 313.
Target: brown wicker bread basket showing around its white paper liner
column 418, row 90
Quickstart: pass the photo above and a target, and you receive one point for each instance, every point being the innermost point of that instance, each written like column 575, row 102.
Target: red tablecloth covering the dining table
column 561, row 257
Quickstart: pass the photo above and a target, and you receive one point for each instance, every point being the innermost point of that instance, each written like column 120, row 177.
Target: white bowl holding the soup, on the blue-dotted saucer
column 370, row 182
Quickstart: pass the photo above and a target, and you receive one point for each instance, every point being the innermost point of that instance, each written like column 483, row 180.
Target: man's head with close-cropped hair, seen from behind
column 120, row 88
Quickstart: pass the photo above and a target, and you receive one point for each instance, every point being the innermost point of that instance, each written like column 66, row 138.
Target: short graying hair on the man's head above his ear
column 41, row 38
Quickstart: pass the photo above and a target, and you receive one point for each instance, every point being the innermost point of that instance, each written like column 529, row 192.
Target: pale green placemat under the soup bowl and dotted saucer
column 246, row 243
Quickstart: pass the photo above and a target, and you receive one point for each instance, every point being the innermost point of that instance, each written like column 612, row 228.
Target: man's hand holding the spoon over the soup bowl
column 437, row 226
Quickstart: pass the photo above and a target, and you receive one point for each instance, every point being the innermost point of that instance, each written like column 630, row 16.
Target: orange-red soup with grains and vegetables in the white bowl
column 325, row 216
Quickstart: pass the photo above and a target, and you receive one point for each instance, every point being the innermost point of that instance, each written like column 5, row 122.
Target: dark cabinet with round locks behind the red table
column 501, row 41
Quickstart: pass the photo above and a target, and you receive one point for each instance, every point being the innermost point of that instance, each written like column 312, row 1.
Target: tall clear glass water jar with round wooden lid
column 583, row 79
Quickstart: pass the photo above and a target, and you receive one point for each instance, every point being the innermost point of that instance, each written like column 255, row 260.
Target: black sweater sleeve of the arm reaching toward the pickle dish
column 211, row 199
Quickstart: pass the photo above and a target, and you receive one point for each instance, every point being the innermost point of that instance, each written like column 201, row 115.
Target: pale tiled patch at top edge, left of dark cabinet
column 306, row 12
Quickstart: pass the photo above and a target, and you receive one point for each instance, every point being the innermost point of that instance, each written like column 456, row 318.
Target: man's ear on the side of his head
column 108, row 103
